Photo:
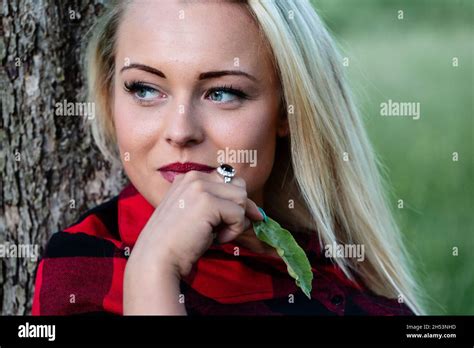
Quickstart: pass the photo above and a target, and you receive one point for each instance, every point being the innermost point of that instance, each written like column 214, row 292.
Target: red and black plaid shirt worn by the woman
column 83, row 266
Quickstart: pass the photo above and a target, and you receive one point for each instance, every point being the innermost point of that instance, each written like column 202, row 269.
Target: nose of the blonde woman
column 183, row 126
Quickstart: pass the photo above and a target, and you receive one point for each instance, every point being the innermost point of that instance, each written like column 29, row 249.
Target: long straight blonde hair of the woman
column 326, row 166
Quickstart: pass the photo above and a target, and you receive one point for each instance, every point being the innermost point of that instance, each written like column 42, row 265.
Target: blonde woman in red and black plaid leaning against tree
column 183, row 86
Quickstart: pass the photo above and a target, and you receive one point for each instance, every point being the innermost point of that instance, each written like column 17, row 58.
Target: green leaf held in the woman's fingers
column 298, row 266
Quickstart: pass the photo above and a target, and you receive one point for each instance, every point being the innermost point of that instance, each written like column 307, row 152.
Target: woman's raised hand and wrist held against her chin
column 197, row 206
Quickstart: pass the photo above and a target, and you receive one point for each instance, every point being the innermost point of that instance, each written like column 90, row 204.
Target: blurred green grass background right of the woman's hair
column 410, row 60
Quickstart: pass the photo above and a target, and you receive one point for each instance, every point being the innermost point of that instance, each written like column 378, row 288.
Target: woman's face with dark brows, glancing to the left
column 194, row 83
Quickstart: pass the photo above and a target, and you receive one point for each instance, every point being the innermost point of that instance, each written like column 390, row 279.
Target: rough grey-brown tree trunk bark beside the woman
column 51, row 172
